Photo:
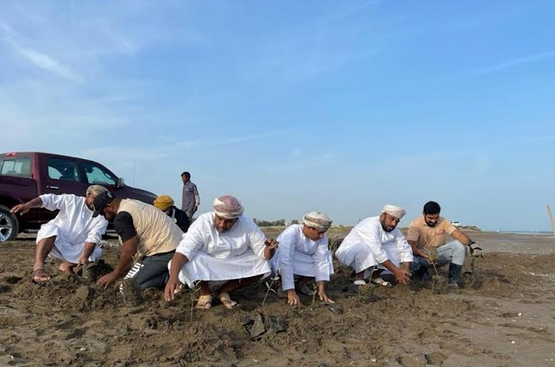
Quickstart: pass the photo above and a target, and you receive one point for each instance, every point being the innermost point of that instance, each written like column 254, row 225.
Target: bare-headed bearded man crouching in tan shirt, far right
column 426, row 236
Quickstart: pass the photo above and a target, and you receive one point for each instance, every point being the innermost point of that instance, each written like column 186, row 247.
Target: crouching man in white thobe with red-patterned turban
column 223, row 245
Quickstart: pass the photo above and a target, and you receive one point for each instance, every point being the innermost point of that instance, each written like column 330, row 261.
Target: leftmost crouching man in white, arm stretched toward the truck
column 73, row 236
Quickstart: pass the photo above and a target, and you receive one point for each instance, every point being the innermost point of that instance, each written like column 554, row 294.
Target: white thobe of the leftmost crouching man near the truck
column 73, row 227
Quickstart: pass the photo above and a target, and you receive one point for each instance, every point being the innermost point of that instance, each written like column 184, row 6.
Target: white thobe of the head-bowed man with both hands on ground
column 299, row 255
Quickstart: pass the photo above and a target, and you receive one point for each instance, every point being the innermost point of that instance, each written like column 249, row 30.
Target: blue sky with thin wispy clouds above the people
column 292, row 106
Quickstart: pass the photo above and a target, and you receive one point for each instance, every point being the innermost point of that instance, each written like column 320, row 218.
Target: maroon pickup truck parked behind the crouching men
column 26, row 175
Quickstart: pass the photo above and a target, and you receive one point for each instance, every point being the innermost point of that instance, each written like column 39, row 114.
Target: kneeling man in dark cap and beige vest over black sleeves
column 145, row 232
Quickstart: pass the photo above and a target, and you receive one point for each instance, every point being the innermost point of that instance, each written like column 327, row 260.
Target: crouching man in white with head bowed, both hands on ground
column 303, row 252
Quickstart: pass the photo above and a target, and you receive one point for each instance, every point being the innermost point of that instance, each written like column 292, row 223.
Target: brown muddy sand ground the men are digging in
column 504, row 316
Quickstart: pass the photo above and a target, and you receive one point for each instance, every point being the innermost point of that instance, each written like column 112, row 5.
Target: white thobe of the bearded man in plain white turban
column 368, row 244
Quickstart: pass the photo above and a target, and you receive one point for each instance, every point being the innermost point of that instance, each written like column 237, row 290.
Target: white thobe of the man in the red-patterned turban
column 213, row 256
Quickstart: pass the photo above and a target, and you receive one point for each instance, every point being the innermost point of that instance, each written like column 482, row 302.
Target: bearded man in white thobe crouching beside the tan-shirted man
column 376, row 244
